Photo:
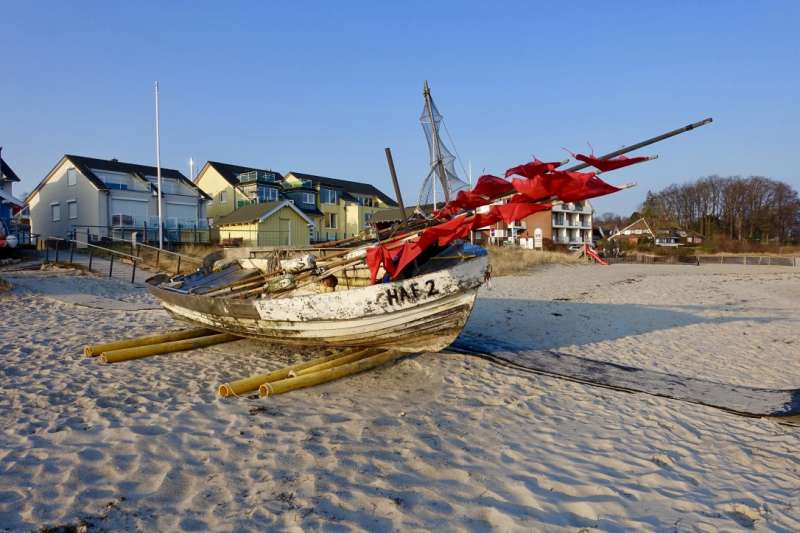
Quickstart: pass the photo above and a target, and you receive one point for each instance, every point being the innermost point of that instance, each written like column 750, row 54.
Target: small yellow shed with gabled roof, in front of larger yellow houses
column 278, row 223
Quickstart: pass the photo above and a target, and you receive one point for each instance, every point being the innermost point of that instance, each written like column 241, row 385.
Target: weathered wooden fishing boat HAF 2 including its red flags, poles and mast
column 410, row 287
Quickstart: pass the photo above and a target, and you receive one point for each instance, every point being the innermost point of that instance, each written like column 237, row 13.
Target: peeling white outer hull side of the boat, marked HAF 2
column 424, row 313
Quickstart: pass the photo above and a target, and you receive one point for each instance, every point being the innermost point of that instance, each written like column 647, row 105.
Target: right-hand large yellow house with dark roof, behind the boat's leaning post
column 346, row 207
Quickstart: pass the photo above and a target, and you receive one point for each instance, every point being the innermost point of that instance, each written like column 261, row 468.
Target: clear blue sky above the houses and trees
column 324, row 87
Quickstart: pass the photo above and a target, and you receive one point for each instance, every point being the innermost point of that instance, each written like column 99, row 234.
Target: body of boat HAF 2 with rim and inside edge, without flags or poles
column 425, row 311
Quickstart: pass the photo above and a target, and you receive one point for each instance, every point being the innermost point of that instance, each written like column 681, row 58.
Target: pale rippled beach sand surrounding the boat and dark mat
column 444, row 442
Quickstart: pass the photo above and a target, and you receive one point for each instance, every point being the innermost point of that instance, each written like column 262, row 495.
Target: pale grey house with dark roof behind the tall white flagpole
column 95, row 199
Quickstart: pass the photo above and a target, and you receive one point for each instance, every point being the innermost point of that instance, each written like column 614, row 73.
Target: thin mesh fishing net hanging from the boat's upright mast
column 442, row 182
